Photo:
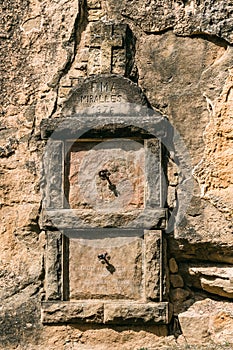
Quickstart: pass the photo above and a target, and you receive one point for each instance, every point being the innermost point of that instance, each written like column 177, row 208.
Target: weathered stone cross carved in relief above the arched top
column 106, row 37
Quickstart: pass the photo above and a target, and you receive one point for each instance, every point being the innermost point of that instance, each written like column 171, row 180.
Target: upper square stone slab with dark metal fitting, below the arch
column 124, row 161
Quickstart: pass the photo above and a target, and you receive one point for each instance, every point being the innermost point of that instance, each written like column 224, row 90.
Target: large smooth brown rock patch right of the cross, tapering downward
column 169, row 55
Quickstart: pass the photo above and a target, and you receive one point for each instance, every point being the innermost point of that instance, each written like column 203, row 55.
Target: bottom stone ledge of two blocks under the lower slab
column 107, row 312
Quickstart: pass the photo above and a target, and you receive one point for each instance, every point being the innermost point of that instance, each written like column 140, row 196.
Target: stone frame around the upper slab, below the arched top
column 55, row 212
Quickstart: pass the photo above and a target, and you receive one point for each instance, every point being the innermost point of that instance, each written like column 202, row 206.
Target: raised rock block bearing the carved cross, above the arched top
column 105, row 48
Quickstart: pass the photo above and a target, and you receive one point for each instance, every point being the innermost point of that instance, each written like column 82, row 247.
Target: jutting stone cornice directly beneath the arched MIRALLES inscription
column 125, row 120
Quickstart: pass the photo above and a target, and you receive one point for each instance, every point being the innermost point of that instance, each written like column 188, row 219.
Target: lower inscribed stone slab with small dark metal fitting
column 121, row 278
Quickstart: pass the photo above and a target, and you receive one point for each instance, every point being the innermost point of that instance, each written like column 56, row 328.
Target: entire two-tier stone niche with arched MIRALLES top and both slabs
column 104, row 195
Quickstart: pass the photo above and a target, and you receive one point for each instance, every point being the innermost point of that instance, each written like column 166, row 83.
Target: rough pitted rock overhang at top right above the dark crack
column 185, row 18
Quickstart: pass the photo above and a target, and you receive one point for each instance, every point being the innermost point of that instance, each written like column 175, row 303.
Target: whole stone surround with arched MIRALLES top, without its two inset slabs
column 89, row 119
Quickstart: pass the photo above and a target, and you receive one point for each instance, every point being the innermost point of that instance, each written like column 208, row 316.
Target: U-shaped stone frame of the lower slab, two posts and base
column 58, row 309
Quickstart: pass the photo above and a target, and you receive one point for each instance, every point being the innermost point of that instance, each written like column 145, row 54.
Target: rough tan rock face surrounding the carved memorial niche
column 180, row 55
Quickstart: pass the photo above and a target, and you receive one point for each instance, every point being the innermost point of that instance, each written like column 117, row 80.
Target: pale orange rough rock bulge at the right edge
column 216, row 180
